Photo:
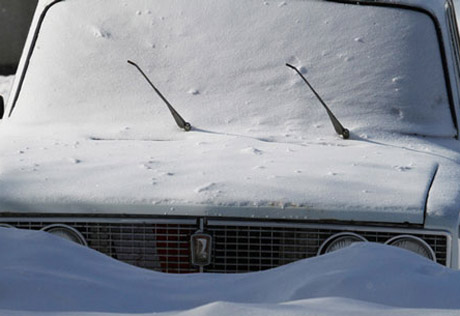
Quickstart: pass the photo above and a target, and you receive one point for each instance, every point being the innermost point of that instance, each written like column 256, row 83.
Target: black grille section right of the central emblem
column 254, row 248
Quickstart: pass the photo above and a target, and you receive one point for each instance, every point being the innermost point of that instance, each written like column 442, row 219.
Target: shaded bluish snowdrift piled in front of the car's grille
column 45, row 274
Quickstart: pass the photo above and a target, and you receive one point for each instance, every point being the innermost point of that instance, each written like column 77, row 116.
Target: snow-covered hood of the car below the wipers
column 221, row 175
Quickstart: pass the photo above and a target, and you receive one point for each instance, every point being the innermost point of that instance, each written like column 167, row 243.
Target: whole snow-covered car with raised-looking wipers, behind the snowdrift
column 172, row 136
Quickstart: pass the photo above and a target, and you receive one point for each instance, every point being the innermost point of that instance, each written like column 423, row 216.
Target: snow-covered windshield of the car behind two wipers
column 222, row 65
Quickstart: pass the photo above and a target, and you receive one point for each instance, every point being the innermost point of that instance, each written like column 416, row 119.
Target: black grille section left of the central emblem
column 160, row 247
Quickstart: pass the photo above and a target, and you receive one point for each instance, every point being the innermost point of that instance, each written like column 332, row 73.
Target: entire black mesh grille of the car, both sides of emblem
column 164, row 245
